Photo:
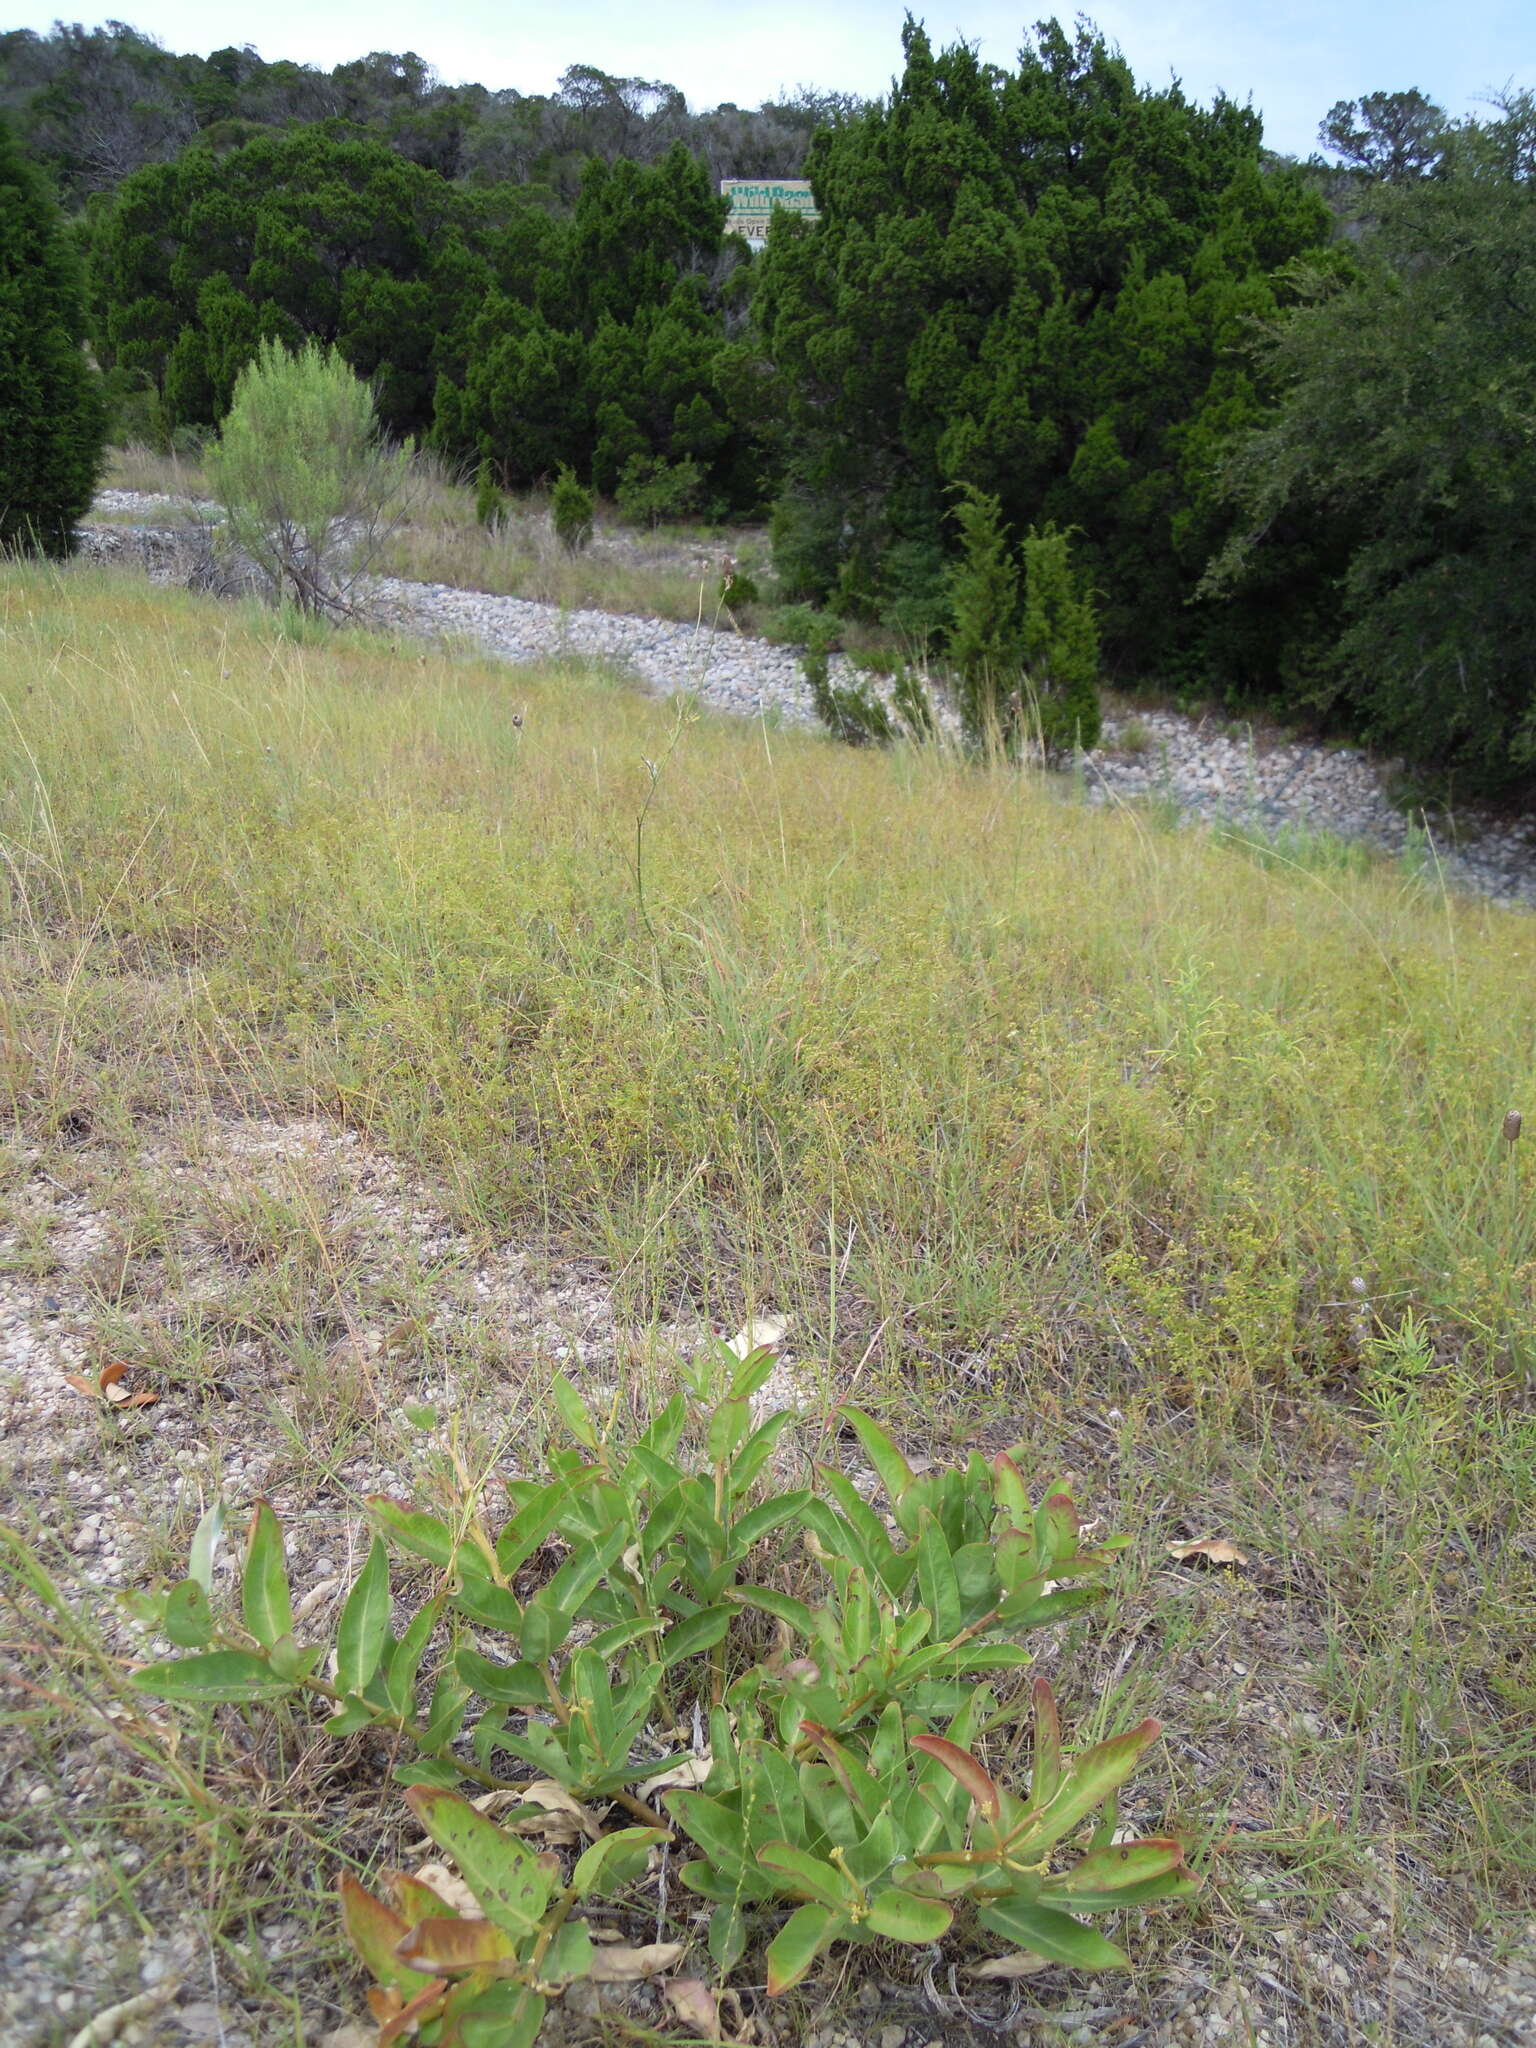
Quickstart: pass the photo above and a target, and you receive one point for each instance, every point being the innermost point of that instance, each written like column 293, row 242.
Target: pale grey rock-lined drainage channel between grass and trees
column 1199, row 769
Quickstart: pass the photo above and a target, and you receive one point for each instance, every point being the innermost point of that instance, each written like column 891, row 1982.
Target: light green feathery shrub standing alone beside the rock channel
column 308, row 488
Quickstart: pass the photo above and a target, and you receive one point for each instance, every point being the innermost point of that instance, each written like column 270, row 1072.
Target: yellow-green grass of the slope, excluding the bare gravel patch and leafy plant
column 1080, row 1123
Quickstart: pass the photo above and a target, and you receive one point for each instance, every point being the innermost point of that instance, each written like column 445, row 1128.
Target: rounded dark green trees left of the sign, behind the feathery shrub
column 488, row 327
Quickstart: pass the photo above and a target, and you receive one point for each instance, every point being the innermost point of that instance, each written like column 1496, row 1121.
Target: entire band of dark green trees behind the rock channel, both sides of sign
column 1281, row 417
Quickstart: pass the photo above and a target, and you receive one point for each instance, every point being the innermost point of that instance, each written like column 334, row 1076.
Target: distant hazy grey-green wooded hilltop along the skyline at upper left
column 95, row 105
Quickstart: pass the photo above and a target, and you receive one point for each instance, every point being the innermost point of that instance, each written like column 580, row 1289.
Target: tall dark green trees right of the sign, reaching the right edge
column 1287, row 415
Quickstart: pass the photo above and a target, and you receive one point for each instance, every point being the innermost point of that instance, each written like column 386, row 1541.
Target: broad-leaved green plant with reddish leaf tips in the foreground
column 841, row 1781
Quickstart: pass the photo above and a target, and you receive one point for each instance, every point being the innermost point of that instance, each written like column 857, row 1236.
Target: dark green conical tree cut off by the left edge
column 52, row 411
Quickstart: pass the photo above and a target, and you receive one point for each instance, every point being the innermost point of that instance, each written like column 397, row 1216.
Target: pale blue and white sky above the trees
column 1295, row 58
